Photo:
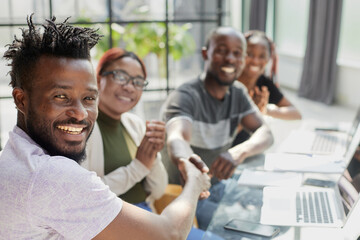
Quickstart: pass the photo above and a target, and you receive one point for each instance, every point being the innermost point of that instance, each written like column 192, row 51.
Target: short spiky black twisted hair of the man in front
column 57, row 39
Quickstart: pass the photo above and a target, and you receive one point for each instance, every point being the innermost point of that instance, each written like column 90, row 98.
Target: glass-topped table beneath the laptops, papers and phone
column 244, row 202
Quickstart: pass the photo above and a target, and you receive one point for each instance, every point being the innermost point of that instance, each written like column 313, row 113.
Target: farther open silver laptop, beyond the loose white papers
column 320, row 142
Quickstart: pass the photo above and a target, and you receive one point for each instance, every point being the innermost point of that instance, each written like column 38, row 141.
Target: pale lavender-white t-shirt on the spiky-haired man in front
column 50, row 197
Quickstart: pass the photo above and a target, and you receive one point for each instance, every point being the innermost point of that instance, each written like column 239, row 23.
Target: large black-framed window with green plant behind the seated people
column 197, row 16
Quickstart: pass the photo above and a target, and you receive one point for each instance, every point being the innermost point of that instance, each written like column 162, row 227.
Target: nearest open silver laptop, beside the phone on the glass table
column 308, row 205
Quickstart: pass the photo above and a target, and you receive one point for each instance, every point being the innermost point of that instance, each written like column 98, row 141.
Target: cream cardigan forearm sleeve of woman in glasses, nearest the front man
column 123, row 178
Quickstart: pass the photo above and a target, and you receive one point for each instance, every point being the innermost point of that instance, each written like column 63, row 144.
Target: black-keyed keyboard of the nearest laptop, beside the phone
column 313, row 207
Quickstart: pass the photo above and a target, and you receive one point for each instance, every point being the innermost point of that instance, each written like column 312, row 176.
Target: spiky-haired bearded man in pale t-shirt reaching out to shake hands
column 45, row 194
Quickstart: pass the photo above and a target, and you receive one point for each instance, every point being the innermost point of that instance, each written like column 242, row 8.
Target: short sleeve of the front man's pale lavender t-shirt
column 70, row 200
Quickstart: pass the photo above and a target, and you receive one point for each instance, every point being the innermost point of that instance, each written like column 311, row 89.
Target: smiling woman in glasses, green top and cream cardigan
column 122, row 150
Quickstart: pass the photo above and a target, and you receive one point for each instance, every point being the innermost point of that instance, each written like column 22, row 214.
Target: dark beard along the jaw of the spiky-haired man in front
column 41, row 135
